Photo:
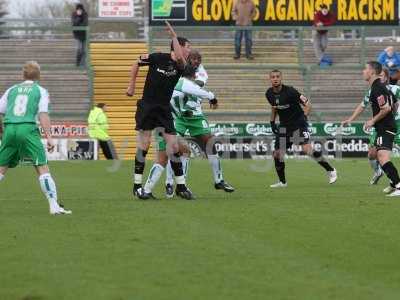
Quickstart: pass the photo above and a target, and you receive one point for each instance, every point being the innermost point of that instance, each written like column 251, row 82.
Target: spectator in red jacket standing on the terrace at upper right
column 322, row 18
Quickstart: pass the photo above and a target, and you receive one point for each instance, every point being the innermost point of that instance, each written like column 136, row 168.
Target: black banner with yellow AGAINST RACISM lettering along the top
column 273, row 12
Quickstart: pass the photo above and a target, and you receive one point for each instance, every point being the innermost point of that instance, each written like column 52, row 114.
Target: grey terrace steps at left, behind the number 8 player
column 68, row 86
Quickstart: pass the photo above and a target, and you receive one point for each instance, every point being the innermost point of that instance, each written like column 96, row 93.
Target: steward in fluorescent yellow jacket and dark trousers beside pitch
column 98, row 129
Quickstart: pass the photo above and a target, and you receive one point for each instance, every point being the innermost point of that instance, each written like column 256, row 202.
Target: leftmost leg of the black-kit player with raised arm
column 143, row 145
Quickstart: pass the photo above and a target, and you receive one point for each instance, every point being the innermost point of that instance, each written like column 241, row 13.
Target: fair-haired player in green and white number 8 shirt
column 21, row 106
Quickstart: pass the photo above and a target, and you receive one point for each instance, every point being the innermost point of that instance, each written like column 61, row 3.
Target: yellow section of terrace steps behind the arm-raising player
column 111, row 64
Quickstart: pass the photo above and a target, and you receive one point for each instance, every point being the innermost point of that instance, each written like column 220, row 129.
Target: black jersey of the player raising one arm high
column 161, row 79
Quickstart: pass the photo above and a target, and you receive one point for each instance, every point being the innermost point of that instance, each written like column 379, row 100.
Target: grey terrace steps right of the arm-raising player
column 240, row 85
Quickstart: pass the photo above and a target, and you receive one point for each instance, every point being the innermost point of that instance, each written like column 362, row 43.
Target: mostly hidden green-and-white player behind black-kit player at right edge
column 372, row 155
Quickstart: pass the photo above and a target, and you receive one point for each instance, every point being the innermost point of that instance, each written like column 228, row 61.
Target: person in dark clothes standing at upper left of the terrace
column 80, row 18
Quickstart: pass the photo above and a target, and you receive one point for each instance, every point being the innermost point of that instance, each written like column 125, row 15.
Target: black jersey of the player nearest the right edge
column 379, row 97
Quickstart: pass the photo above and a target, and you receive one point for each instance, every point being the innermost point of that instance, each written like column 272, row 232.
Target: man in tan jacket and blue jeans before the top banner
column 243, row 12
